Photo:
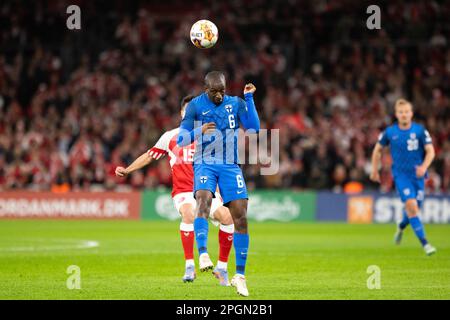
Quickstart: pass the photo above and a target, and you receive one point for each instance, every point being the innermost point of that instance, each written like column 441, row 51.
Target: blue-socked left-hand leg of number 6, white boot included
column 204, row 199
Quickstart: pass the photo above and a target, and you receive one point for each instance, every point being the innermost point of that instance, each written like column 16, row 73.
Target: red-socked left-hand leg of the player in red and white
column 187, row 239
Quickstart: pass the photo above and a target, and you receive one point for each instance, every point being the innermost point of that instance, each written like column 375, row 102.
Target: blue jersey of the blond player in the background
column 407, row 147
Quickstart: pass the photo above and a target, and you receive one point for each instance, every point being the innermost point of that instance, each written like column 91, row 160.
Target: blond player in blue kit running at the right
column 412, row 152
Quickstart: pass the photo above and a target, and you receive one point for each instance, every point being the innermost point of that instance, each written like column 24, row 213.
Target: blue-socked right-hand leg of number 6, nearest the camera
column 238, row 210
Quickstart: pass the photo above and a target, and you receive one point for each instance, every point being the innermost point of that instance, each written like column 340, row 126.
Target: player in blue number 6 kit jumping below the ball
column 212, row 119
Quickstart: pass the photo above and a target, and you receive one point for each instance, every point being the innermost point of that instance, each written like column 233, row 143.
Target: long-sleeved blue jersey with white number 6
column 221, row 146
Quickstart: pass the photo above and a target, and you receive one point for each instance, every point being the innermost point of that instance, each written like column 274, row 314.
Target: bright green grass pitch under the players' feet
column 144, row 260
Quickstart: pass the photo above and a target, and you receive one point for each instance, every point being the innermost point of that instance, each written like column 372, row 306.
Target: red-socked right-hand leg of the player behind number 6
column 226, row 231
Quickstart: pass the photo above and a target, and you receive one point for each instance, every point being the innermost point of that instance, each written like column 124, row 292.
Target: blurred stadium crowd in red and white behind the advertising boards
column 74, row 104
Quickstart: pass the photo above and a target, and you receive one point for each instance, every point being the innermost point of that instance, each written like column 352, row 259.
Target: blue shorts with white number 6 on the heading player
column 228, row 176
